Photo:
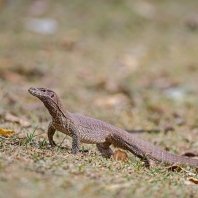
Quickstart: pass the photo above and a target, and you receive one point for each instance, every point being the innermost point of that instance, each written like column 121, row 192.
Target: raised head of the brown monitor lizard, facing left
column 44, row 94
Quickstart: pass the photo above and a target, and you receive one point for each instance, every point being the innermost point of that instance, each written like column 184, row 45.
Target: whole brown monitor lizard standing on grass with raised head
column 84, row 129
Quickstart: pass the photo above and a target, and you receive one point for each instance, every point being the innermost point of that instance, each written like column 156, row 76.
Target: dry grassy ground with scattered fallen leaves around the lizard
column 130, row 63
